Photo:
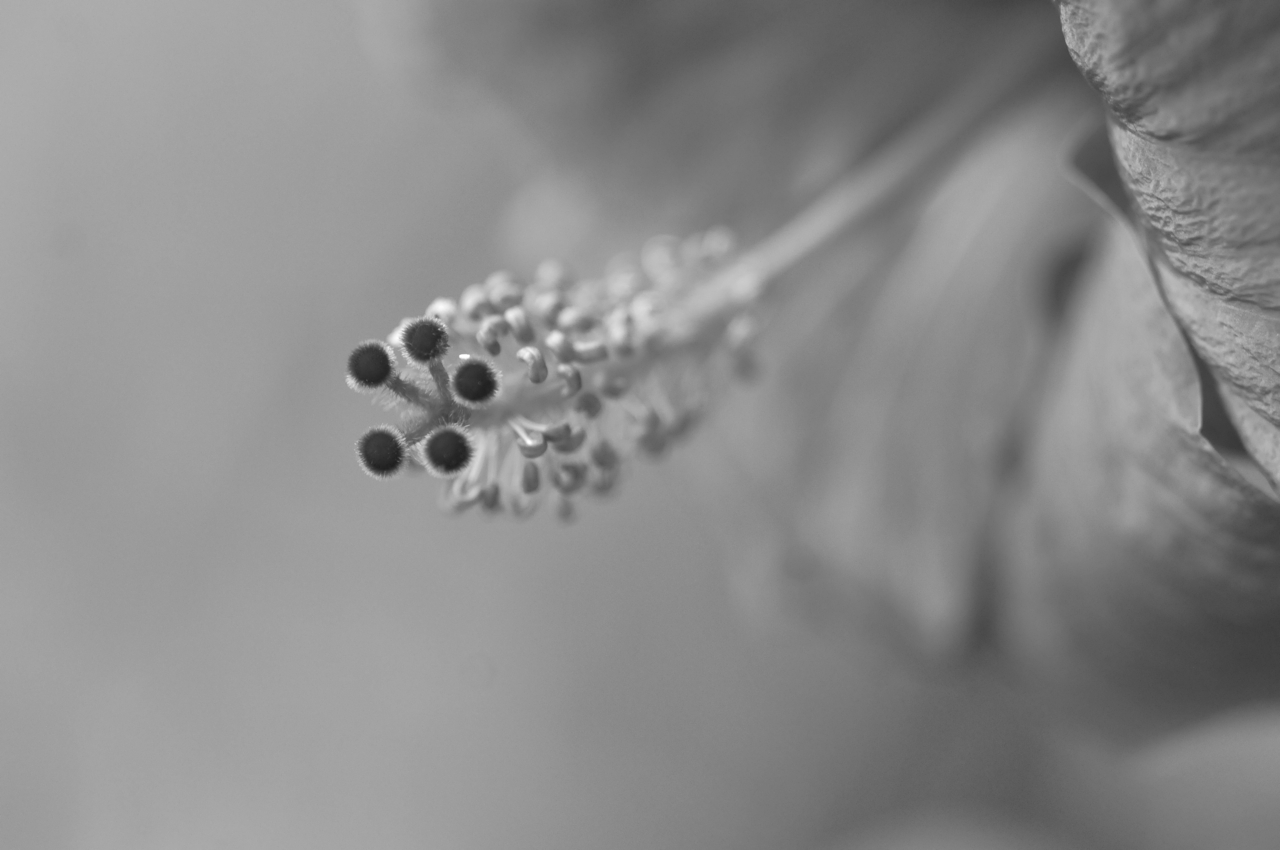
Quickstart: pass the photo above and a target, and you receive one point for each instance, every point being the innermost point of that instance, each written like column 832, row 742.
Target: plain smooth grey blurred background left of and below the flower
column 217, row 633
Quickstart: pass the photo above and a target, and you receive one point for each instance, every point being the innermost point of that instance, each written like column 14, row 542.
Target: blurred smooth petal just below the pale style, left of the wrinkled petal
column 893, row 410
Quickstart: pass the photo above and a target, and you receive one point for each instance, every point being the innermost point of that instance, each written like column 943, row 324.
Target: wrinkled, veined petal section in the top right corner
column 1195, row 94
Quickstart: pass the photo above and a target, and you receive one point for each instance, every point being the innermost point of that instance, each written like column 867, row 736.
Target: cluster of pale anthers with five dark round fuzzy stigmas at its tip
column 606, row 368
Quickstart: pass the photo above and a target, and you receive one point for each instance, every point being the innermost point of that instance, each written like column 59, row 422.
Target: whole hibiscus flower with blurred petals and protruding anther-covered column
column 1005, row 418
